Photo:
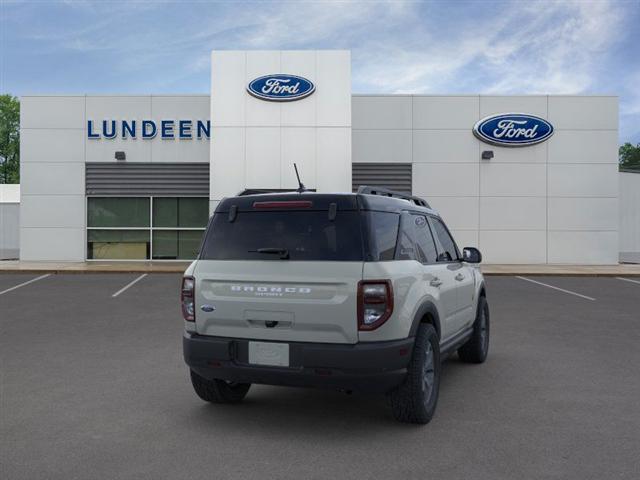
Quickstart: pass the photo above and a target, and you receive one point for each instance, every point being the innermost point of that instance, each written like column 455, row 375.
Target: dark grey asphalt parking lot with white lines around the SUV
column 93, row 386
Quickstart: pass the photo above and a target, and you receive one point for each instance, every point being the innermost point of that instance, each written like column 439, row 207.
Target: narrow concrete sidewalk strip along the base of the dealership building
column 14, row 266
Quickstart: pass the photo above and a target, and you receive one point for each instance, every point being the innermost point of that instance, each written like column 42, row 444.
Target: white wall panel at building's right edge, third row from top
column 583, row 180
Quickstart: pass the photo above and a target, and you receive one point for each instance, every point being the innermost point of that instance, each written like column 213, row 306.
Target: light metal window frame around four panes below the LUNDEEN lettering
column 149, row 229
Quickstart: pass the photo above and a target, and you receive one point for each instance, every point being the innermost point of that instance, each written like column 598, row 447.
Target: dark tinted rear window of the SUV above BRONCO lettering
column 305, row 235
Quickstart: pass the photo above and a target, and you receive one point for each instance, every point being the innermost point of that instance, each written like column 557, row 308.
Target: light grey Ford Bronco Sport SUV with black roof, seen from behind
column 364, row 291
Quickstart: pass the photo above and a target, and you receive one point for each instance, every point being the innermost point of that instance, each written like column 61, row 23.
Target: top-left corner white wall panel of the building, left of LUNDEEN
column 64, row 111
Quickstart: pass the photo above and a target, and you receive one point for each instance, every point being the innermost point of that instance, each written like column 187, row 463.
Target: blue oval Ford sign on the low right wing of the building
column 513, row 129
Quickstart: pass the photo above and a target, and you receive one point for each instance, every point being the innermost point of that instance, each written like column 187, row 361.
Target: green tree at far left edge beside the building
column 9, row 139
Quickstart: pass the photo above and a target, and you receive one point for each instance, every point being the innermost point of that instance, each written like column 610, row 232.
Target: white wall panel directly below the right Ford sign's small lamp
column 513, row 180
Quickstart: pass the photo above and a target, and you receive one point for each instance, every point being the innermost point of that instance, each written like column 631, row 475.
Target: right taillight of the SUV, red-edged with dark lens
column 375, row 303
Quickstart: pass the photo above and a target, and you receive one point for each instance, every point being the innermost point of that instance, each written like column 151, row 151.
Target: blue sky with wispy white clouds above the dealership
column 443, row 47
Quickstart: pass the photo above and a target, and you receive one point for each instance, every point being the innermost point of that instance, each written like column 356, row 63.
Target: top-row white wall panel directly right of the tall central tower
column 381, row 112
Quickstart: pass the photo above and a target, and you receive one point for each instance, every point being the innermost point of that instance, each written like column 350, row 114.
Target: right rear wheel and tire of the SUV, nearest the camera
column 413, row 401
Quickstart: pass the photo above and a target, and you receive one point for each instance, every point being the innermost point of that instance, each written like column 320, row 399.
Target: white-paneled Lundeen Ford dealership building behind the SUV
column 135, row 177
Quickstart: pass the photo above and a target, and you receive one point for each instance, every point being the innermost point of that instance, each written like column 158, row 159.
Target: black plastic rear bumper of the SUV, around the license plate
column 368, row 367
